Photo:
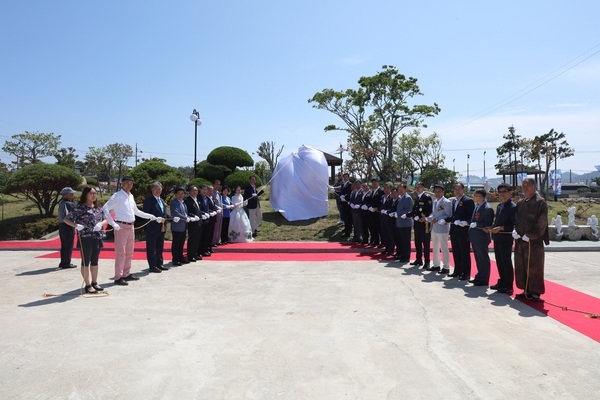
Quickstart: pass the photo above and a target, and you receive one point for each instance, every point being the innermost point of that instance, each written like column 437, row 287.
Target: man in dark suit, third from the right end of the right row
column 479, row 236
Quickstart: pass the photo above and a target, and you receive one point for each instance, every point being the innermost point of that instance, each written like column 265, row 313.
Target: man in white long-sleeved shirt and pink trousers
column 125, row 210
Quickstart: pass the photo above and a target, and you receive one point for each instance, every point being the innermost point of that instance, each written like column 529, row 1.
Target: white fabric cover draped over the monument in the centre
column 299, row 185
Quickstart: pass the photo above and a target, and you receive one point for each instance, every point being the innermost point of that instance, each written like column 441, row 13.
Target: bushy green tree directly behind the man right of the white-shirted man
column 149, row 172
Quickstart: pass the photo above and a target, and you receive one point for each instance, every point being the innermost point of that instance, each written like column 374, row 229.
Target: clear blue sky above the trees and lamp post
column 131, row 72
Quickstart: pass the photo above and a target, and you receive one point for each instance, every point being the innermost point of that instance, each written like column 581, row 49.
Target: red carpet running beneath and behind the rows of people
column 556, row 299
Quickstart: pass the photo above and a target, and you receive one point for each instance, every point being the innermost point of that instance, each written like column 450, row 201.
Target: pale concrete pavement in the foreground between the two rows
column 289, row 330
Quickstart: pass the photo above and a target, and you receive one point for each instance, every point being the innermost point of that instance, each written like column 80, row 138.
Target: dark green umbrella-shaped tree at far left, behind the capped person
column 42, row 183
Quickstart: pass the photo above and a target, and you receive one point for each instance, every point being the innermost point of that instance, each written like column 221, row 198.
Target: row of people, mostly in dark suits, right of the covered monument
column 386, row 217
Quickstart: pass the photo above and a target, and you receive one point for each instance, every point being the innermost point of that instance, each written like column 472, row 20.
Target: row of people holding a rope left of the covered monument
column 204, row 218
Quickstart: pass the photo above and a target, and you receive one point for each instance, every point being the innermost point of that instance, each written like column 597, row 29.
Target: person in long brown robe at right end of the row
column 531, row 233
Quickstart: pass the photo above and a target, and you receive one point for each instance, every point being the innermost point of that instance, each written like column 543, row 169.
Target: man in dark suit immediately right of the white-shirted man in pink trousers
column 155, row 233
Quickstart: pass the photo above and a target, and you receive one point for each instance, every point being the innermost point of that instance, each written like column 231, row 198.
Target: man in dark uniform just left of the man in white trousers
column 422, row 208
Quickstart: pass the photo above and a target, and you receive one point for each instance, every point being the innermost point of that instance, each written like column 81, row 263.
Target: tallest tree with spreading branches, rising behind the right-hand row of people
column 376, row 113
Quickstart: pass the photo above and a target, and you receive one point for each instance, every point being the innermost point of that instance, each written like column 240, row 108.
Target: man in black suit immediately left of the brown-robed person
column 503, row 240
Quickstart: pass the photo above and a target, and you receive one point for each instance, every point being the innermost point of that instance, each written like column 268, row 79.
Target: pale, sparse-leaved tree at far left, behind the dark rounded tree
column 30, row 147
